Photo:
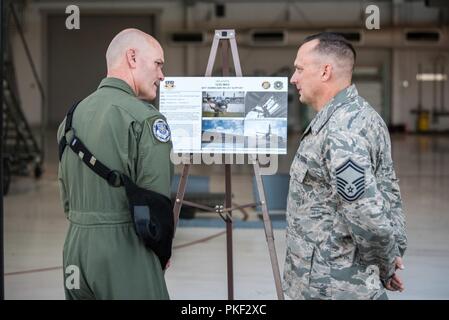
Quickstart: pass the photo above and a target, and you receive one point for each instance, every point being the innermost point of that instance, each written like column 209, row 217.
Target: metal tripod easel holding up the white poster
column 230, row 35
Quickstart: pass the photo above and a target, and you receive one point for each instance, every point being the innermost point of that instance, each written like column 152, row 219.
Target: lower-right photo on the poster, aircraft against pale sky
column 262, row 133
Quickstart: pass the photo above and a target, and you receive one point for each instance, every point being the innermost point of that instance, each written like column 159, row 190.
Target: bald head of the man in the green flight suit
column 136, row 58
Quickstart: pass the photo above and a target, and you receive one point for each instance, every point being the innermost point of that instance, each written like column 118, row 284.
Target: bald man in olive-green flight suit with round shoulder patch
column 103, row 257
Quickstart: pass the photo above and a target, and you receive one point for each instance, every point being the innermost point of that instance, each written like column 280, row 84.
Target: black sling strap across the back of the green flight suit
column 113, row 177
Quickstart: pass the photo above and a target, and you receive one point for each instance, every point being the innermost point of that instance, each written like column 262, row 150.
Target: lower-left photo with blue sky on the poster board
column 219, row 134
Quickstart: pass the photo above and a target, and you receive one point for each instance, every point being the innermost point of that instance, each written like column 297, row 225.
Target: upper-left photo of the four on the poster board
column 223, row 104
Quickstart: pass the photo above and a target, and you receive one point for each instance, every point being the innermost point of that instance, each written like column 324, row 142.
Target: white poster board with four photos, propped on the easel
column 226, row 114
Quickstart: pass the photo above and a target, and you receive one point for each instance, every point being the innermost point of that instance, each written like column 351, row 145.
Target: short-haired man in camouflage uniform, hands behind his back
column 346, row 230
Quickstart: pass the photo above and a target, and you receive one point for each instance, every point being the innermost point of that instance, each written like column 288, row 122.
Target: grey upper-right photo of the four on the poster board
column 260, row 105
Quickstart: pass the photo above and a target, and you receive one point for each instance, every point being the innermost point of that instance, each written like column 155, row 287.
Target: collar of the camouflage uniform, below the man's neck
column 340, row 99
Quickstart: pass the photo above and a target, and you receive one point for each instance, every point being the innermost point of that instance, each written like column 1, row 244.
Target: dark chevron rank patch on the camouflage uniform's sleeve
column 350, row 180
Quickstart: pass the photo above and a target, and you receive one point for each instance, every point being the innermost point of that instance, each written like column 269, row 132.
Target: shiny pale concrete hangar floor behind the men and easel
column 35, row 229
